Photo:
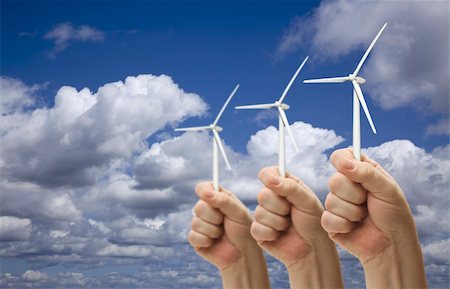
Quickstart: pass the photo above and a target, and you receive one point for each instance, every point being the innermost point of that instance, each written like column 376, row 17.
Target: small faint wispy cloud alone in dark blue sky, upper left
column 63, row 34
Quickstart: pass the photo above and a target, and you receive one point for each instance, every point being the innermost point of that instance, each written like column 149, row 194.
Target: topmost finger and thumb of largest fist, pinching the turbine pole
column 371, row 178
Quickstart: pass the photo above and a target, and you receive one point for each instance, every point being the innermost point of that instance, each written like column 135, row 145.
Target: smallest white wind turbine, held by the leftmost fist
column 217, row 143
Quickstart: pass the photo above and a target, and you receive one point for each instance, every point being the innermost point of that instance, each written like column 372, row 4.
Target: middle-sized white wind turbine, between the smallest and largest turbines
column 282, row 121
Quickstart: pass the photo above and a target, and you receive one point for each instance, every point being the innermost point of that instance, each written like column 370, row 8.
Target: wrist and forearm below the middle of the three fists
column 319, row 269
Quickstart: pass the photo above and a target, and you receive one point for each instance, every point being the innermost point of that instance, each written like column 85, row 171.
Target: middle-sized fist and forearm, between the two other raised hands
column 287, row 226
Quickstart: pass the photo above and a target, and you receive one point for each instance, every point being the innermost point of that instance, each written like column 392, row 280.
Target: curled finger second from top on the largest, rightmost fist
column 347, row 190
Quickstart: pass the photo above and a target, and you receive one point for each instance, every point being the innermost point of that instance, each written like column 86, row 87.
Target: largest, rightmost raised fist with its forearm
column 367, row 214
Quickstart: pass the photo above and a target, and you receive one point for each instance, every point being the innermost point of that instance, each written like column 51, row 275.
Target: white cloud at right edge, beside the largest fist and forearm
column 424, row 180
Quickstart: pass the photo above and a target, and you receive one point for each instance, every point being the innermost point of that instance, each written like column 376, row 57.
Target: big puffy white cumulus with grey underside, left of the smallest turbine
column 67, row 144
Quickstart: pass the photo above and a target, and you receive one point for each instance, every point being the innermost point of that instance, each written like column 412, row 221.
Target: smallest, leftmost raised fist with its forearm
column 220, row 233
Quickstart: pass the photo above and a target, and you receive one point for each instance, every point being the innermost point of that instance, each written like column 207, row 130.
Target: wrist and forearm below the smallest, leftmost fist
column 250, row 271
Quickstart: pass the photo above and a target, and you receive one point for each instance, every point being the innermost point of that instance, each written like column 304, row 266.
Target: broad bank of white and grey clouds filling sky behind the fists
column 82, row 188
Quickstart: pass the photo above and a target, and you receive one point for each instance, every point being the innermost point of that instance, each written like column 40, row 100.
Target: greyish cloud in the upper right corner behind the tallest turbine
column 404, row 69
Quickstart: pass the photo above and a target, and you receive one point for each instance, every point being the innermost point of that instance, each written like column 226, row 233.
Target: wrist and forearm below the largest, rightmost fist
column 398, row 266
